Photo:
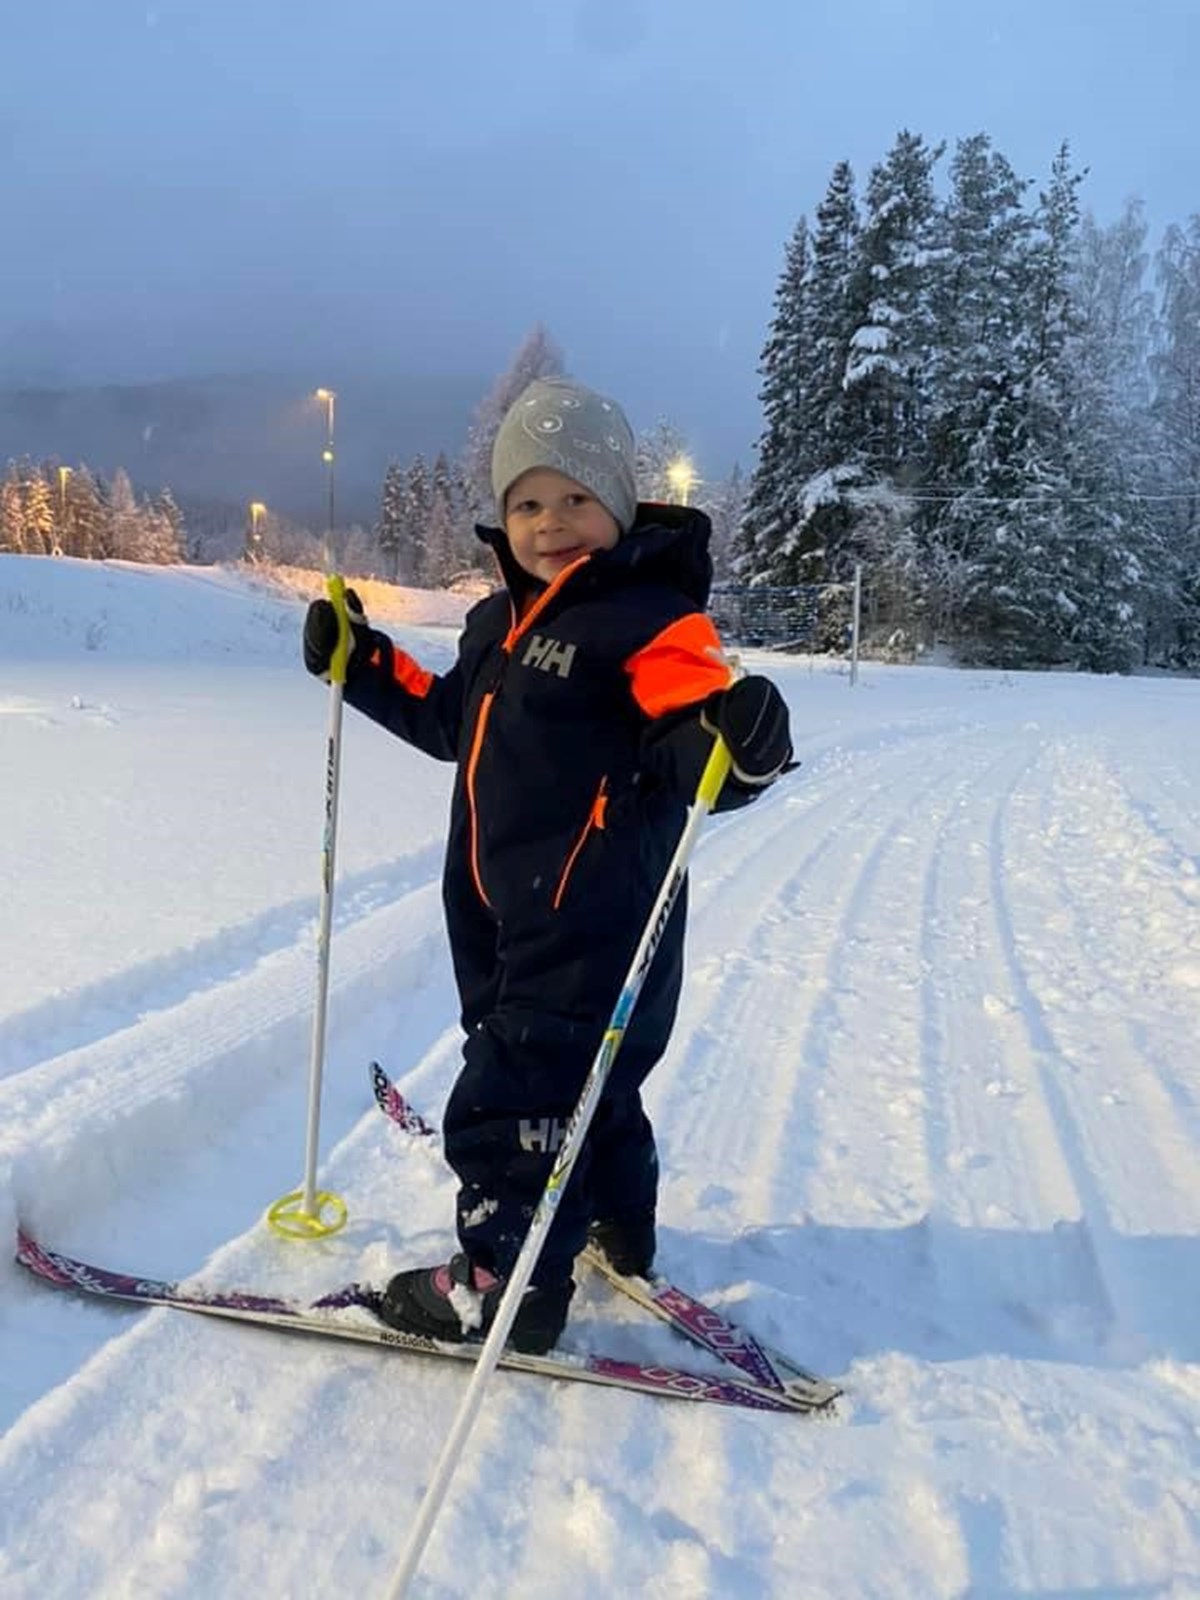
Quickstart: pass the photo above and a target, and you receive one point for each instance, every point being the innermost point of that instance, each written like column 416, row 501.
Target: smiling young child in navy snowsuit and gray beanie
column 582, row 711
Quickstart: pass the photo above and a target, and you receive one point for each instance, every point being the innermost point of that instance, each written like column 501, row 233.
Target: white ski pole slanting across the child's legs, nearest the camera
column 714, row 775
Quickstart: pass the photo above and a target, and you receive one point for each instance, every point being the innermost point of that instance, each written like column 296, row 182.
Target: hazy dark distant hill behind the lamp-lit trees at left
column 239, row 438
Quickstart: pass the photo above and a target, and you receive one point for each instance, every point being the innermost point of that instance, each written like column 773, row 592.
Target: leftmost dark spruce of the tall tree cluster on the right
column 770, row 505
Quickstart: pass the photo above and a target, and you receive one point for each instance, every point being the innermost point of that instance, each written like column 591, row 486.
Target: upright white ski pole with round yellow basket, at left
column 308, row 1212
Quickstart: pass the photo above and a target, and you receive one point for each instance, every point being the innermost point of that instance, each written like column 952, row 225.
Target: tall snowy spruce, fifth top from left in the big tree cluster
column 1022, row 602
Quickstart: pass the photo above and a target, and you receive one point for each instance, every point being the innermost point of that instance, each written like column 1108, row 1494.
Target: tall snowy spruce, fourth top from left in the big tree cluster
column 975, row 375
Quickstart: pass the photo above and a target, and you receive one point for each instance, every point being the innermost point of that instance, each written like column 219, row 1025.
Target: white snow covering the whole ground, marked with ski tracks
column 930, row 1121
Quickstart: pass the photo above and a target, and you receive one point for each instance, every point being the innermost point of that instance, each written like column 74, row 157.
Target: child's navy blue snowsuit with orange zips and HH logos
column 574, row 718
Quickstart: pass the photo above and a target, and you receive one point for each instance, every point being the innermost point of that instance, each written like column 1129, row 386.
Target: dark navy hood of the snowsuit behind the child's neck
column 668, row 545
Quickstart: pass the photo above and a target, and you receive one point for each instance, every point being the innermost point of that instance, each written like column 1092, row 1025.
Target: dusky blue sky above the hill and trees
column 244, row 185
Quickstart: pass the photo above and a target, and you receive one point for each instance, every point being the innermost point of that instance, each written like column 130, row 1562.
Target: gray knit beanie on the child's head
column 559, row 425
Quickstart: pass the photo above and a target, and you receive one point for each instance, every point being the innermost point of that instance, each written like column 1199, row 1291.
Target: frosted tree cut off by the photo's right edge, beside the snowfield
column 1177, row 418
